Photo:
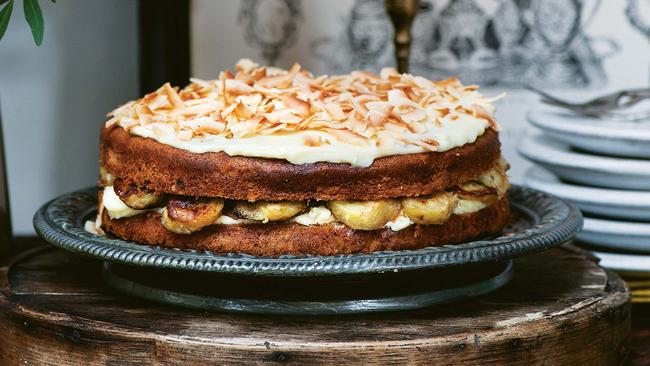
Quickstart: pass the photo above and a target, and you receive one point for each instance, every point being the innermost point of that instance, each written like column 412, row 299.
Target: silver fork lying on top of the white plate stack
column 604, row 106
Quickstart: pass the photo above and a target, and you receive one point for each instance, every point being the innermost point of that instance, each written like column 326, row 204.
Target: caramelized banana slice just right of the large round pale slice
column 430, row 210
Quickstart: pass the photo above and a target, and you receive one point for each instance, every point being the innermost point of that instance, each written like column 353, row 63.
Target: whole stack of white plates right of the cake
column 604, row 168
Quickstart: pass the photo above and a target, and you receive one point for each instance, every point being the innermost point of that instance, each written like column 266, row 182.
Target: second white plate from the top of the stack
column 592, row 170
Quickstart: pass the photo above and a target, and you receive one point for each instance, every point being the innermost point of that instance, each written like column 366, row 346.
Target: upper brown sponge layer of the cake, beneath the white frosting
column 164, row 168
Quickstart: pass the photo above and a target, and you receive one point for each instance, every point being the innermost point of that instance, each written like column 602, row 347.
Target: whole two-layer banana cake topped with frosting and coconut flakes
column 267, row 161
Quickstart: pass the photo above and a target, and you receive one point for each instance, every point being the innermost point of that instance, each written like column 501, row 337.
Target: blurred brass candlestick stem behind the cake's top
column 402, row 13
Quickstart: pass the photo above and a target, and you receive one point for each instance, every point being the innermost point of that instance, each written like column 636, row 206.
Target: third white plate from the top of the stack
column 630, row 205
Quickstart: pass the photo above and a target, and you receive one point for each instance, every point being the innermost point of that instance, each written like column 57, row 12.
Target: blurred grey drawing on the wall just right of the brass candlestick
column 512, row 42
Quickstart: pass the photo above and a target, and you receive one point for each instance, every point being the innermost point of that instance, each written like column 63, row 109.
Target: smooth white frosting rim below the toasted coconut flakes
column 294, row 146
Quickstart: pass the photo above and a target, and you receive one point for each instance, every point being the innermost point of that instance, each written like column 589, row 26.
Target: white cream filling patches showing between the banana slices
column 319, row 215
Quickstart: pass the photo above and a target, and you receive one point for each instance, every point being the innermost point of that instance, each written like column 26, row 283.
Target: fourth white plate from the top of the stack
column 619, row 235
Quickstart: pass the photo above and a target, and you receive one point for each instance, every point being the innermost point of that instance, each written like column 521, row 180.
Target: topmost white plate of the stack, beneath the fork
column 592, row 134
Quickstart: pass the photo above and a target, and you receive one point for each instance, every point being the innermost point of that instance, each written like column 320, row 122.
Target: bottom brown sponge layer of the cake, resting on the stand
column 289, row 238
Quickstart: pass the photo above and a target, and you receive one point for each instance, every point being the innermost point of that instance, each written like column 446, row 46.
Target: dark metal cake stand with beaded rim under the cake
column 381, row 281
